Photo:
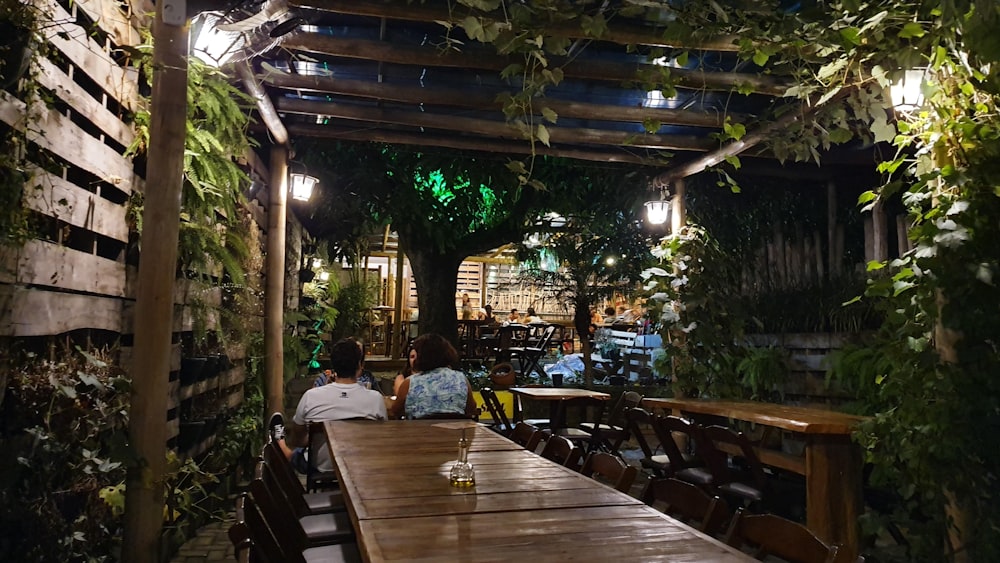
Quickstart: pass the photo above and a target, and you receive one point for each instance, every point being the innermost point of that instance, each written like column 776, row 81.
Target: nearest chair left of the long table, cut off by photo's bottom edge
column 253, row 538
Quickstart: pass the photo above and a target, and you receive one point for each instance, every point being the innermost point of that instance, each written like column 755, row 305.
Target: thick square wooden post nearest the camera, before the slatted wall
column 154, row 307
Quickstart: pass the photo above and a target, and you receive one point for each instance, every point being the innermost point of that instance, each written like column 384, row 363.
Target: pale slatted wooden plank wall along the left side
column 76, row 278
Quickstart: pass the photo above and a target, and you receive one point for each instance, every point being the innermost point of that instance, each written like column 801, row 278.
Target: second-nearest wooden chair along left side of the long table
column 304, row 531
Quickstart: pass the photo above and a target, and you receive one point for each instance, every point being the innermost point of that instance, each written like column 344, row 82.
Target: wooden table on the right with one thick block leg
column 832, row 464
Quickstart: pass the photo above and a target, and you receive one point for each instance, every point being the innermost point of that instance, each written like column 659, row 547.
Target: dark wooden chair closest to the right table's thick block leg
column 743, row 479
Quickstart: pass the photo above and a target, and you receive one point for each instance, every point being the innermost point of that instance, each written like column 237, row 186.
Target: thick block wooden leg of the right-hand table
column 833, row 490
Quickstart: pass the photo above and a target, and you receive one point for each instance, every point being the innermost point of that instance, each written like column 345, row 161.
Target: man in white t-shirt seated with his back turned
column 343, row 399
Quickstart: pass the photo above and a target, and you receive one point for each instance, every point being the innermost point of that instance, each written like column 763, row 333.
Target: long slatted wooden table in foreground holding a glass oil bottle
column 394, row 475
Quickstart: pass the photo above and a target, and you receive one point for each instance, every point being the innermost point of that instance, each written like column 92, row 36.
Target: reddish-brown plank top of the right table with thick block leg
column 795, row 419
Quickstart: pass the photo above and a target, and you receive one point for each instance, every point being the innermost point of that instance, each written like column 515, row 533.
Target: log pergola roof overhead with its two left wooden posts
column 376, row 70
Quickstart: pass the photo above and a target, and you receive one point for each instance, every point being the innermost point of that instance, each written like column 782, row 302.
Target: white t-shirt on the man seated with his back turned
column 337, row 401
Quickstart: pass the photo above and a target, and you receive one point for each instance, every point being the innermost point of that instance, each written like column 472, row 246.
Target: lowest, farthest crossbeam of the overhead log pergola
column 622, row 154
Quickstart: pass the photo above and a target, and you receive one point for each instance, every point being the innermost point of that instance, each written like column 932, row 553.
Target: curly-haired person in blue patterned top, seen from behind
column 435, row 387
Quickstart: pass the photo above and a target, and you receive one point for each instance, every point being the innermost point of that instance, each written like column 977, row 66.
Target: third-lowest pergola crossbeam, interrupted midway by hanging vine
column 466, row 99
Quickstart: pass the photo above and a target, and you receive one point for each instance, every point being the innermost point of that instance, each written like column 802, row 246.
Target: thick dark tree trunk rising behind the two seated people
column 436, row 277
